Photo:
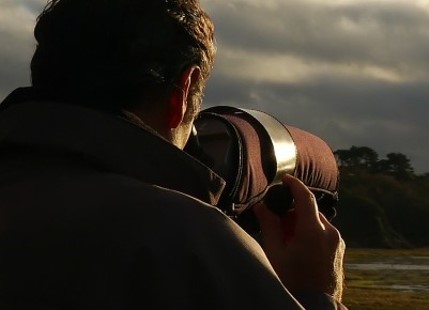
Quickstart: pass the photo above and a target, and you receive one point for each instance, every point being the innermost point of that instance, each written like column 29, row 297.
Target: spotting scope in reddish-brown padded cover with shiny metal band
column 251, row 150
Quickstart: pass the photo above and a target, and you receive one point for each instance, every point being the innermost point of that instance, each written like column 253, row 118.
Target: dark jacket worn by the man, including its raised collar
column 97, row 212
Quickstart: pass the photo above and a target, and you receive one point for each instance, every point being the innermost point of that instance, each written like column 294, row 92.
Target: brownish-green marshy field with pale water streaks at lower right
column 379, row 279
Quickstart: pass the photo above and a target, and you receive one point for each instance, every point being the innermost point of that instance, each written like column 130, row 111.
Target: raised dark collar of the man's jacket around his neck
column 115, row 143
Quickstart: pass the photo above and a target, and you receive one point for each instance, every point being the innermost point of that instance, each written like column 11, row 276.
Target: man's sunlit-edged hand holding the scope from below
column 304, row 249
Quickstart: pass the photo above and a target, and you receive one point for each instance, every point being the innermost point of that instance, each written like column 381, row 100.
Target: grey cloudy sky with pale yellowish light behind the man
column 353, row 72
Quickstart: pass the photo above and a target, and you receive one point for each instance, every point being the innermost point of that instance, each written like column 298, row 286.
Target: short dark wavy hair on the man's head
column 113, row 54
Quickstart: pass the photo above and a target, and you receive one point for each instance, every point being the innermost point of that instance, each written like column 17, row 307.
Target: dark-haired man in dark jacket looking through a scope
column 99, row 206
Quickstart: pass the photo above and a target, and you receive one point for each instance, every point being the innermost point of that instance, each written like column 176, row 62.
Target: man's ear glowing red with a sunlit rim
column 179, row 95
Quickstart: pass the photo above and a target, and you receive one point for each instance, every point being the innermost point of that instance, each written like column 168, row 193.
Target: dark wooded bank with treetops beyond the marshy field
column 383, row 203
